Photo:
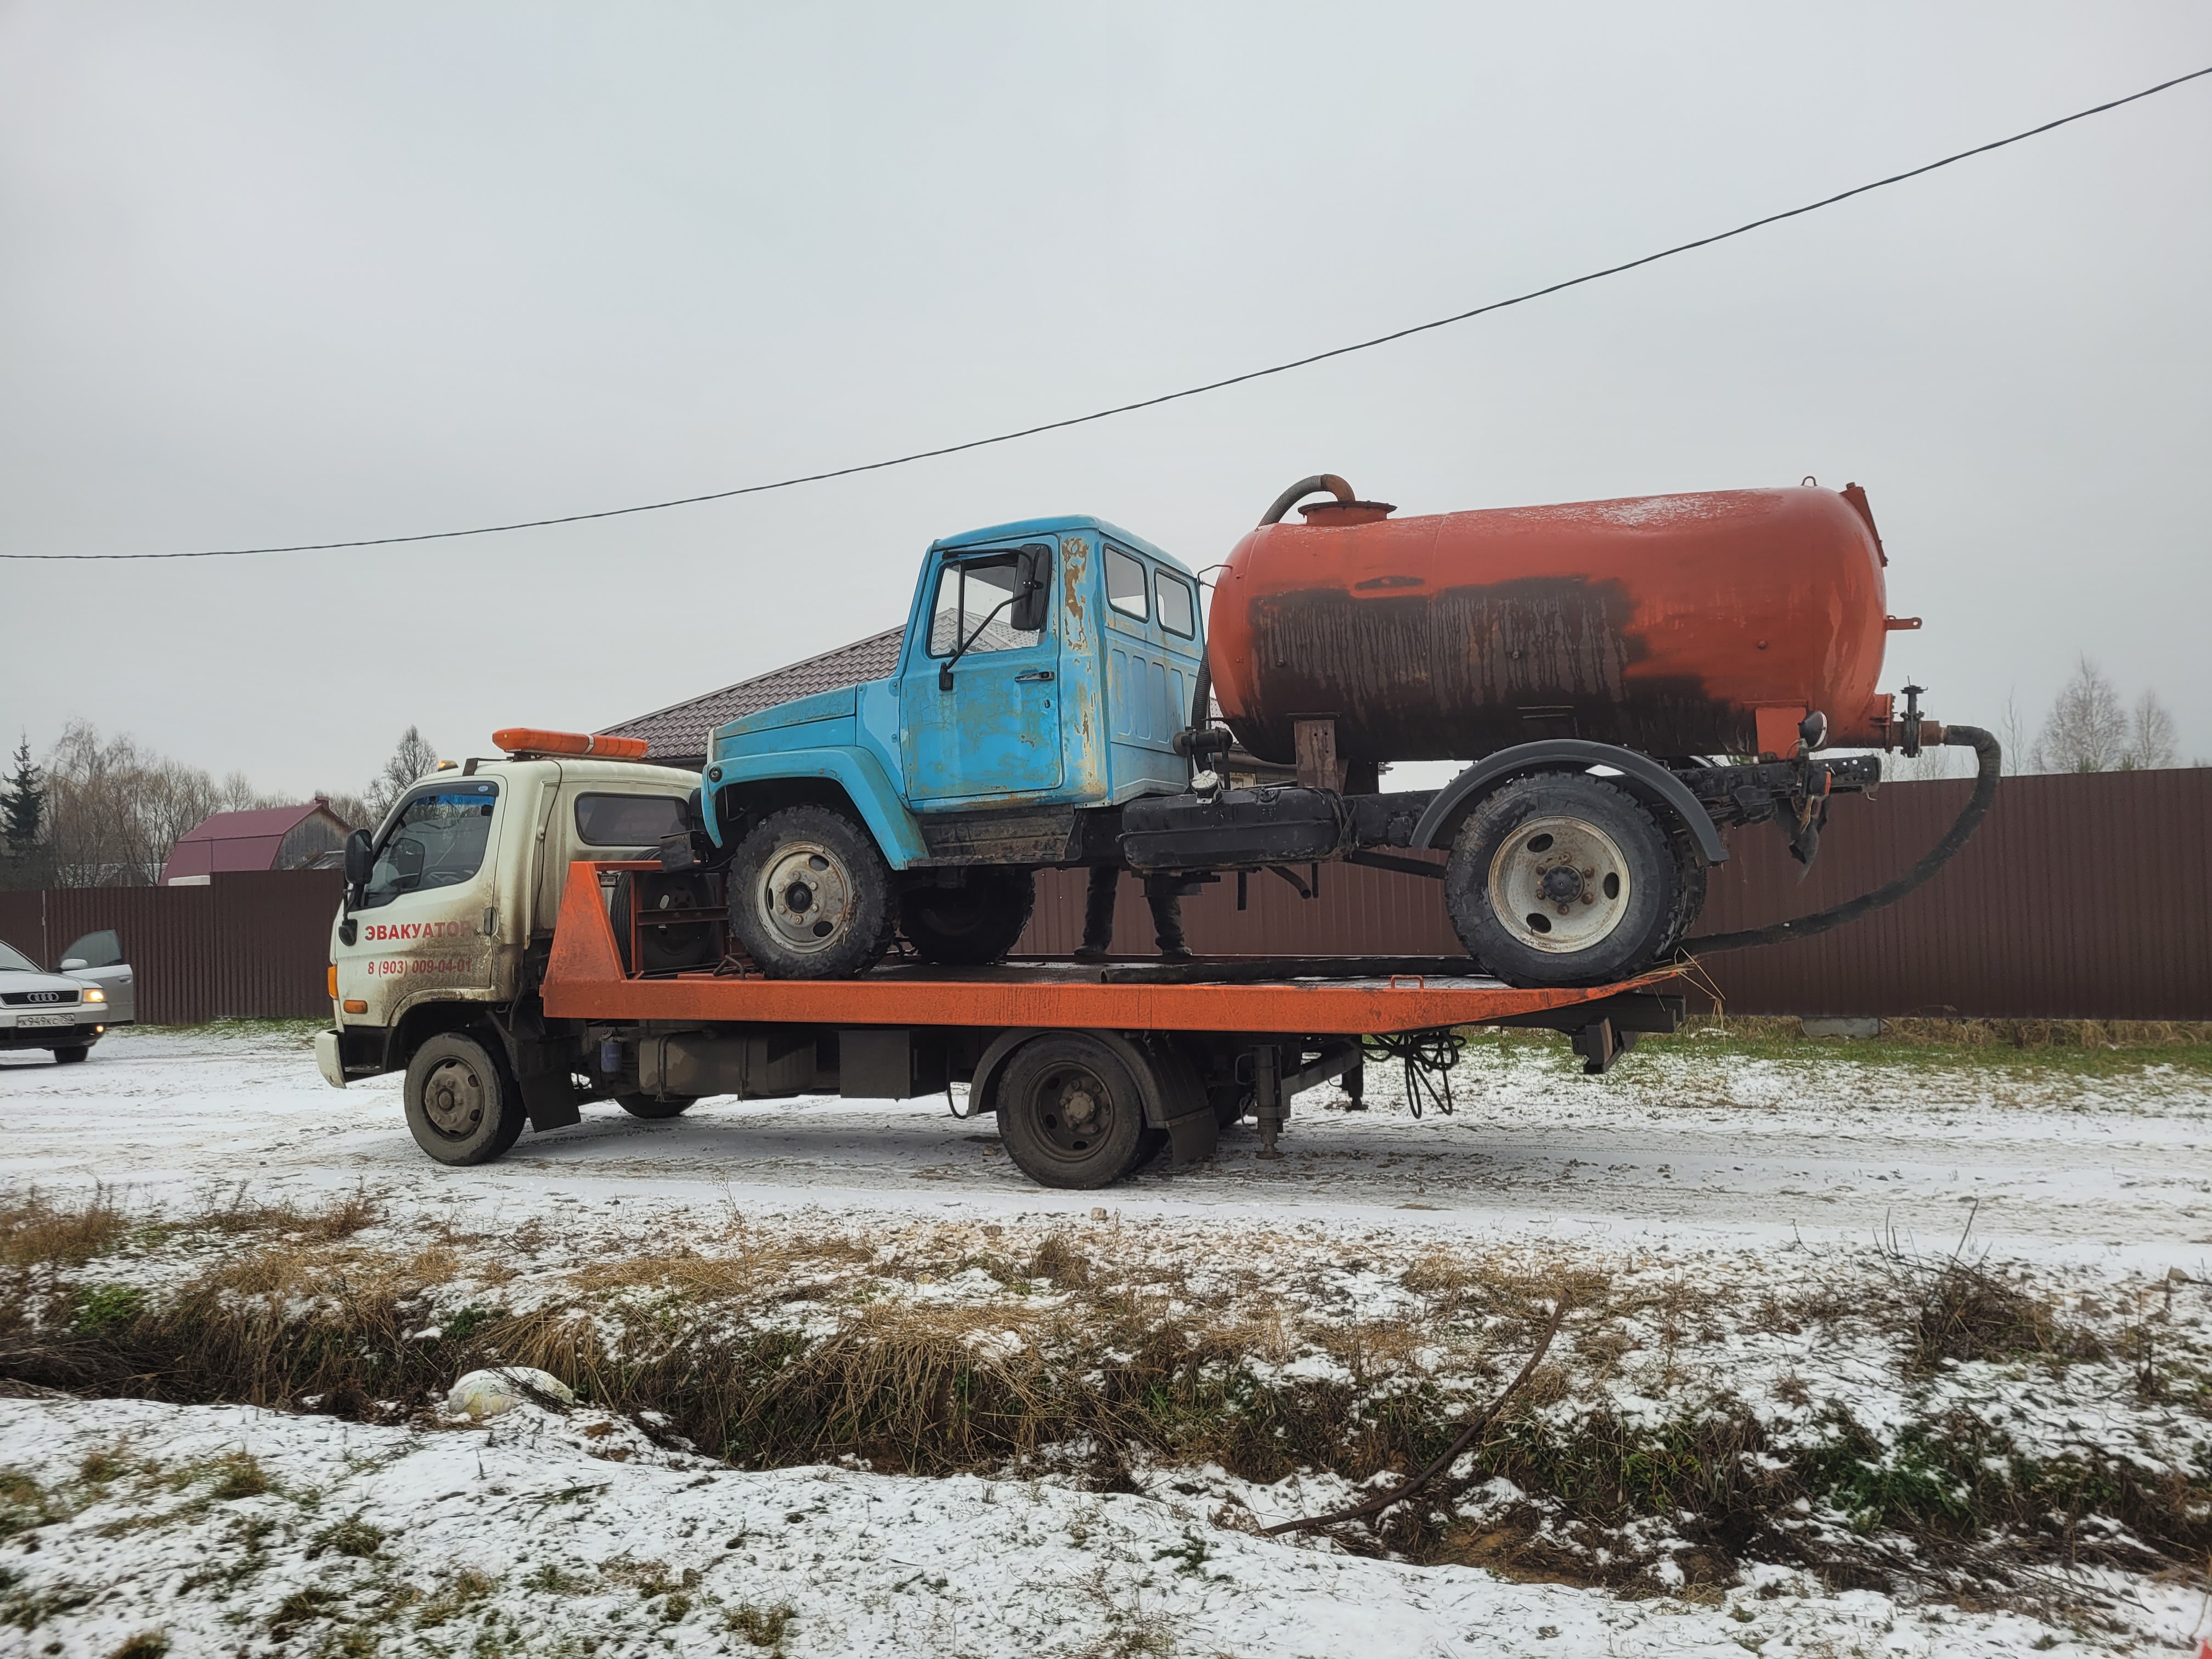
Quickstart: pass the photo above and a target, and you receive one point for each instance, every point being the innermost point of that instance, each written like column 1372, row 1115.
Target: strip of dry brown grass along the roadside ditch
column 778, row 1350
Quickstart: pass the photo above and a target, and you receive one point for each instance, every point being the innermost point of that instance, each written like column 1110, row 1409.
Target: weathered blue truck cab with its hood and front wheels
column 1045, row 676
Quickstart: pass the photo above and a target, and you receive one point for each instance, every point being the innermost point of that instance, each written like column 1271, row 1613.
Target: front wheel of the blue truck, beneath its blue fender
column 808, row 848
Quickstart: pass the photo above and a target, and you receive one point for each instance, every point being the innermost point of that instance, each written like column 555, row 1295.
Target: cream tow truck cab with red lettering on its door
column 452, row 904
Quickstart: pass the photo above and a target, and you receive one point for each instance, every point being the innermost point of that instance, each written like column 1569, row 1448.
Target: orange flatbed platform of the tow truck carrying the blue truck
column 585, row 981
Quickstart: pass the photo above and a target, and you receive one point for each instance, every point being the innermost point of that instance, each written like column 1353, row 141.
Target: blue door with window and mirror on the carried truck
column 997, row 731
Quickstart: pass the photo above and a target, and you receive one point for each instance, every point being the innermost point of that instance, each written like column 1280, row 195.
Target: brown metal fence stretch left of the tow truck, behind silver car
column 247, row 946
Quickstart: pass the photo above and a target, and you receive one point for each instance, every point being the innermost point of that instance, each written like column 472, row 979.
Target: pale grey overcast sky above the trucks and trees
column 309, row 273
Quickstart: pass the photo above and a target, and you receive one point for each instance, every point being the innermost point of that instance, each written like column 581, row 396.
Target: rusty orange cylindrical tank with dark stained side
column 1660, row 625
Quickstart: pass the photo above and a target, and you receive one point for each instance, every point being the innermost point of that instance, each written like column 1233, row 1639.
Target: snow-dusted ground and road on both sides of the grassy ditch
column 1740, row 1233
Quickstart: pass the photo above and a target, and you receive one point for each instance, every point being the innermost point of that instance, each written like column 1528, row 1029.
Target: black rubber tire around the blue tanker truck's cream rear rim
column 1640, row 924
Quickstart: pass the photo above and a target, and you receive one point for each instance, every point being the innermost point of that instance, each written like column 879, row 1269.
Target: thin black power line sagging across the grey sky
column 1165, row 397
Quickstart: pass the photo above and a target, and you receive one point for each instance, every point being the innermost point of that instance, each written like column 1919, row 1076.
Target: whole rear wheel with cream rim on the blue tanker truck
column 1563, row 879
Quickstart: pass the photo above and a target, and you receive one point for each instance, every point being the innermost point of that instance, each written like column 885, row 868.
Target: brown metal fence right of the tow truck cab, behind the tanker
column 2080, row 899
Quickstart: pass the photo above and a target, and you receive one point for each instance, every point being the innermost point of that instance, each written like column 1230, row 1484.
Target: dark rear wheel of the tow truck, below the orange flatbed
column 1039, row 1134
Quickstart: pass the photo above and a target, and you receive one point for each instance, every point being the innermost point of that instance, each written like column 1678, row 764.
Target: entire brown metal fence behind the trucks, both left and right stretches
column 2080, row 899
